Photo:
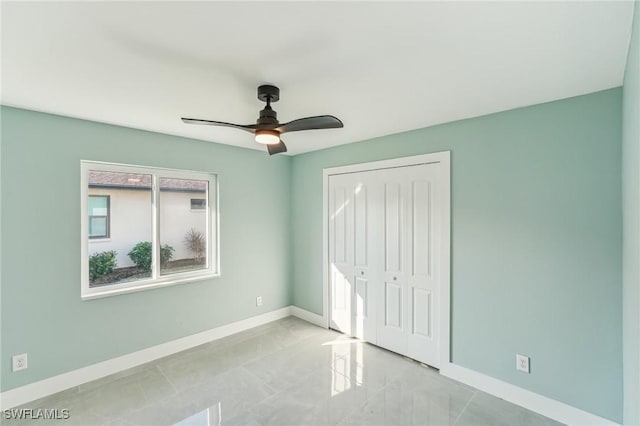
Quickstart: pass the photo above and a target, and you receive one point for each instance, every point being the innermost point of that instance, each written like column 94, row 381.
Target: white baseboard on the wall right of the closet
column 548, row 407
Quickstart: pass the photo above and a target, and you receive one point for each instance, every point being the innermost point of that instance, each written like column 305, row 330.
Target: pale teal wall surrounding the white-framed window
column 42, row 313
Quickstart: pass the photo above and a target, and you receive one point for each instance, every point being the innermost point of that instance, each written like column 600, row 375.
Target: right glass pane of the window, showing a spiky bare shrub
column 183, row 232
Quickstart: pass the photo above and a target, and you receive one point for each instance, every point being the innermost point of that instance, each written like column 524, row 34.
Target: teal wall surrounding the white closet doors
column 536, row 242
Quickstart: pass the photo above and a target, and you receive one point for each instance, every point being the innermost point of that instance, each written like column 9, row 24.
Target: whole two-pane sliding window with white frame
column 138, row 231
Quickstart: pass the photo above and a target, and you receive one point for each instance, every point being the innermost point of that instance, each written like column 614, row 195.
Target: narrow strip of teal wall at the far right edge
column 631, row 223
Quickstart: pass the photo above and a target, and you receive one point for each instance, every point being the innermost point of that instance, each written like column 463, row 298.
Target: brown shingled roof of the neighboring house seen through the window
column 142, row 181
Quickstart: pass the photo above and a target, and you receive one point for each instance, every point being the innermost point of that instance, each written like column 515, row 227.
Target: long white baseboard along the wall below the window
column 42, row 388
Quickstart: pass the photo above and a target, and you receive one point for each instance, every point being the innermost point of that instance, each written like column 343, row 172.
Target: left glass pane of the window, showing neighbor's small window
column 119, row 206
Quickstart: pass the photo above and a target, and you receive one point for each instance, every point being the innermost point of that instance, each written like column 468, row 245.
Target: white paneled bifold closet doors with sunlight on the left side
column 383, row 250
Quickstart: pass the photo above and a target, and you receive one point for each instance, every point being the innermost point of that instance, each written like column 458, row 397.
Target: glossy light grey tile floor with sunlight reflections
column 288, row 372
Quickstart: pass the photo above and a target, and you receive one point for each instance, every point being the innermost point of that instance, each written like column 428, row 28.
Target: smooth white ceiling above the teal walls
column 380, row 67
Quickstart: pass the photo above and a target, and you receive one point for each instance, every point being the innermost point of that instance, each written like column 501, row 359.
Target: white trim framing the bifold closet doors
column 445, row 297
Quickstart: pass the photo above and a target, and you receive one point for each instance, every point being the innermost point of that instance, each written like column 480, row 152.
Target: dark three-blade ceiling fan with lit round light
column 268, row 129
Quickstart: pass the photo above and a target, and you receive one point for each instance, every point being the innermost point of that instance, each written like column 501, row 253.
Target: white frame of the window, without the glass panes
column 156, row 280
